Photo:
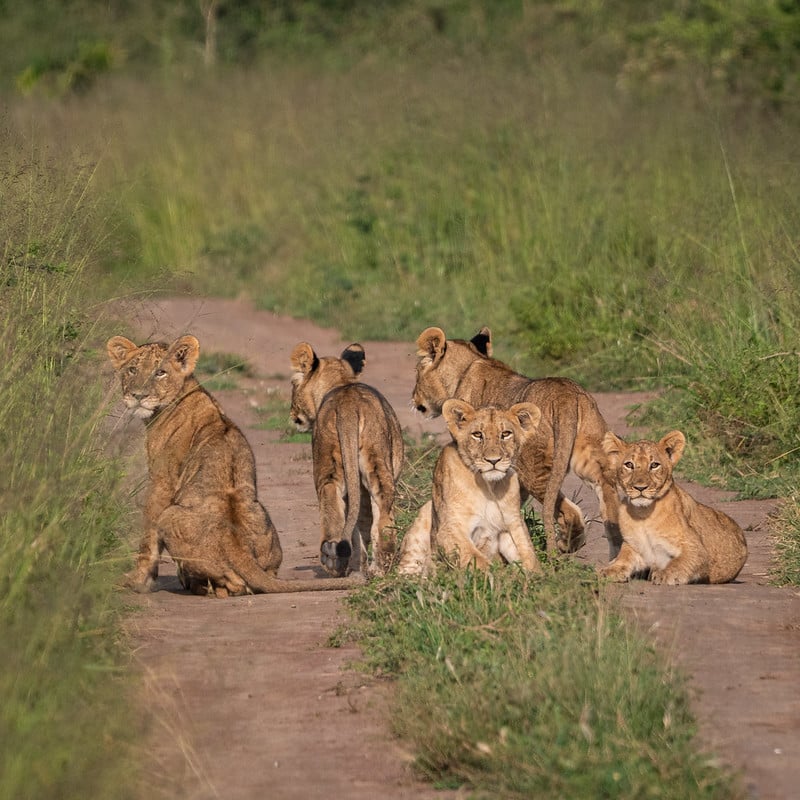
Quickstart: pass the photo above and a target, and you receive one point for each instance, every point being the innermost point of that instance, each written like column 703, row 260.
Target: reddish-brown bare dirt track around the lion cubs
column 250, row 700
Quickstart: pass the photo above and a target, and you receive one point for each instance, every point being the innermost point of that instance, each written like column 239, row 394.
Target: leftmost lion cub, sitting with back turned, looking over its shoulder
column 201, row 504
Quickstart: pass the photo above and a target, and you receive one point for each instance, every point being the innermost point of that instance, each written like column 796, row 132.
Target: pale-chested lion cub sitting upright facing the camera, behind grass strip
column 474, row 513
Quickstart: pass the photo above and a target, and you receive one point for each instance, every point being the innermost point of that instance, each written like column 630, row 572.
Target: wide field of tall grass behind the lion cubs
column 623, row 241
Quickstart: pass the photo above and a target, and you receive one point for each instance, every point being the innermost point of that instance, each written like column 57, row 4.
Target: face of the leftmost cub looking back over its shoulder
column 152, row 375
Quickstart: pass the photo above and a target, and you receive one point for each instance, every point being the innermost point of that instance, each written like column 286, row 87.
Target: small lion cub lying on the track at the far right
column 664, row 529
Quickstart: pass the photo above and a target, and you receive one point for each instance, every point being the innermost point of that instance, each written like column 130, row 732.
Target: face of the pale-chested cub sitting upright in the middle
column 489, row 439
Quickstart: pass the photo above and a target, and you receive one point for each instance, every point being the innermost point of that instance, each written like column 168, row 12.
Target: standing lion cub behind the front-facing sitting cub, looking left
column 569, row 435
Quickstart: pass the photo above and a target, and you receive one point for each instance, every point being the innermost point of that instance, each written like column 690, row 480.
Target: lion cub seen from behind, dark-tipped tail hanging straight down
column 357, row 450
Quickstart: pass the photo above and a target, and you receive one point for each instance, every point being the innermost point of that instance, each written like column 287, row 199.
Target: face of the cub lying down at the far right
column 644, row 469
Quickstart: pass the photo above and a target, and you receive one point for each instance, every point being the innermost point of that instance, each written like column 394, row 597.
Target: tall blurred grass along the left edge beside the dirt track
column 64, row 719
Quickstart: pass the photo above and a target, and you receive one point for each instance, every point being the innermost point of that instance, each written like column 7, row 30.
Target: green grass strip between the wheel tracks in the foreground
column 526, row 689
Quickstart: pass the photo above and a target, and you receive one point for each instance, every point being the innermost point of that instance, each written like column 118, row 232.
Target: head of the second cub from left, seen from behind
column 314, row 377
